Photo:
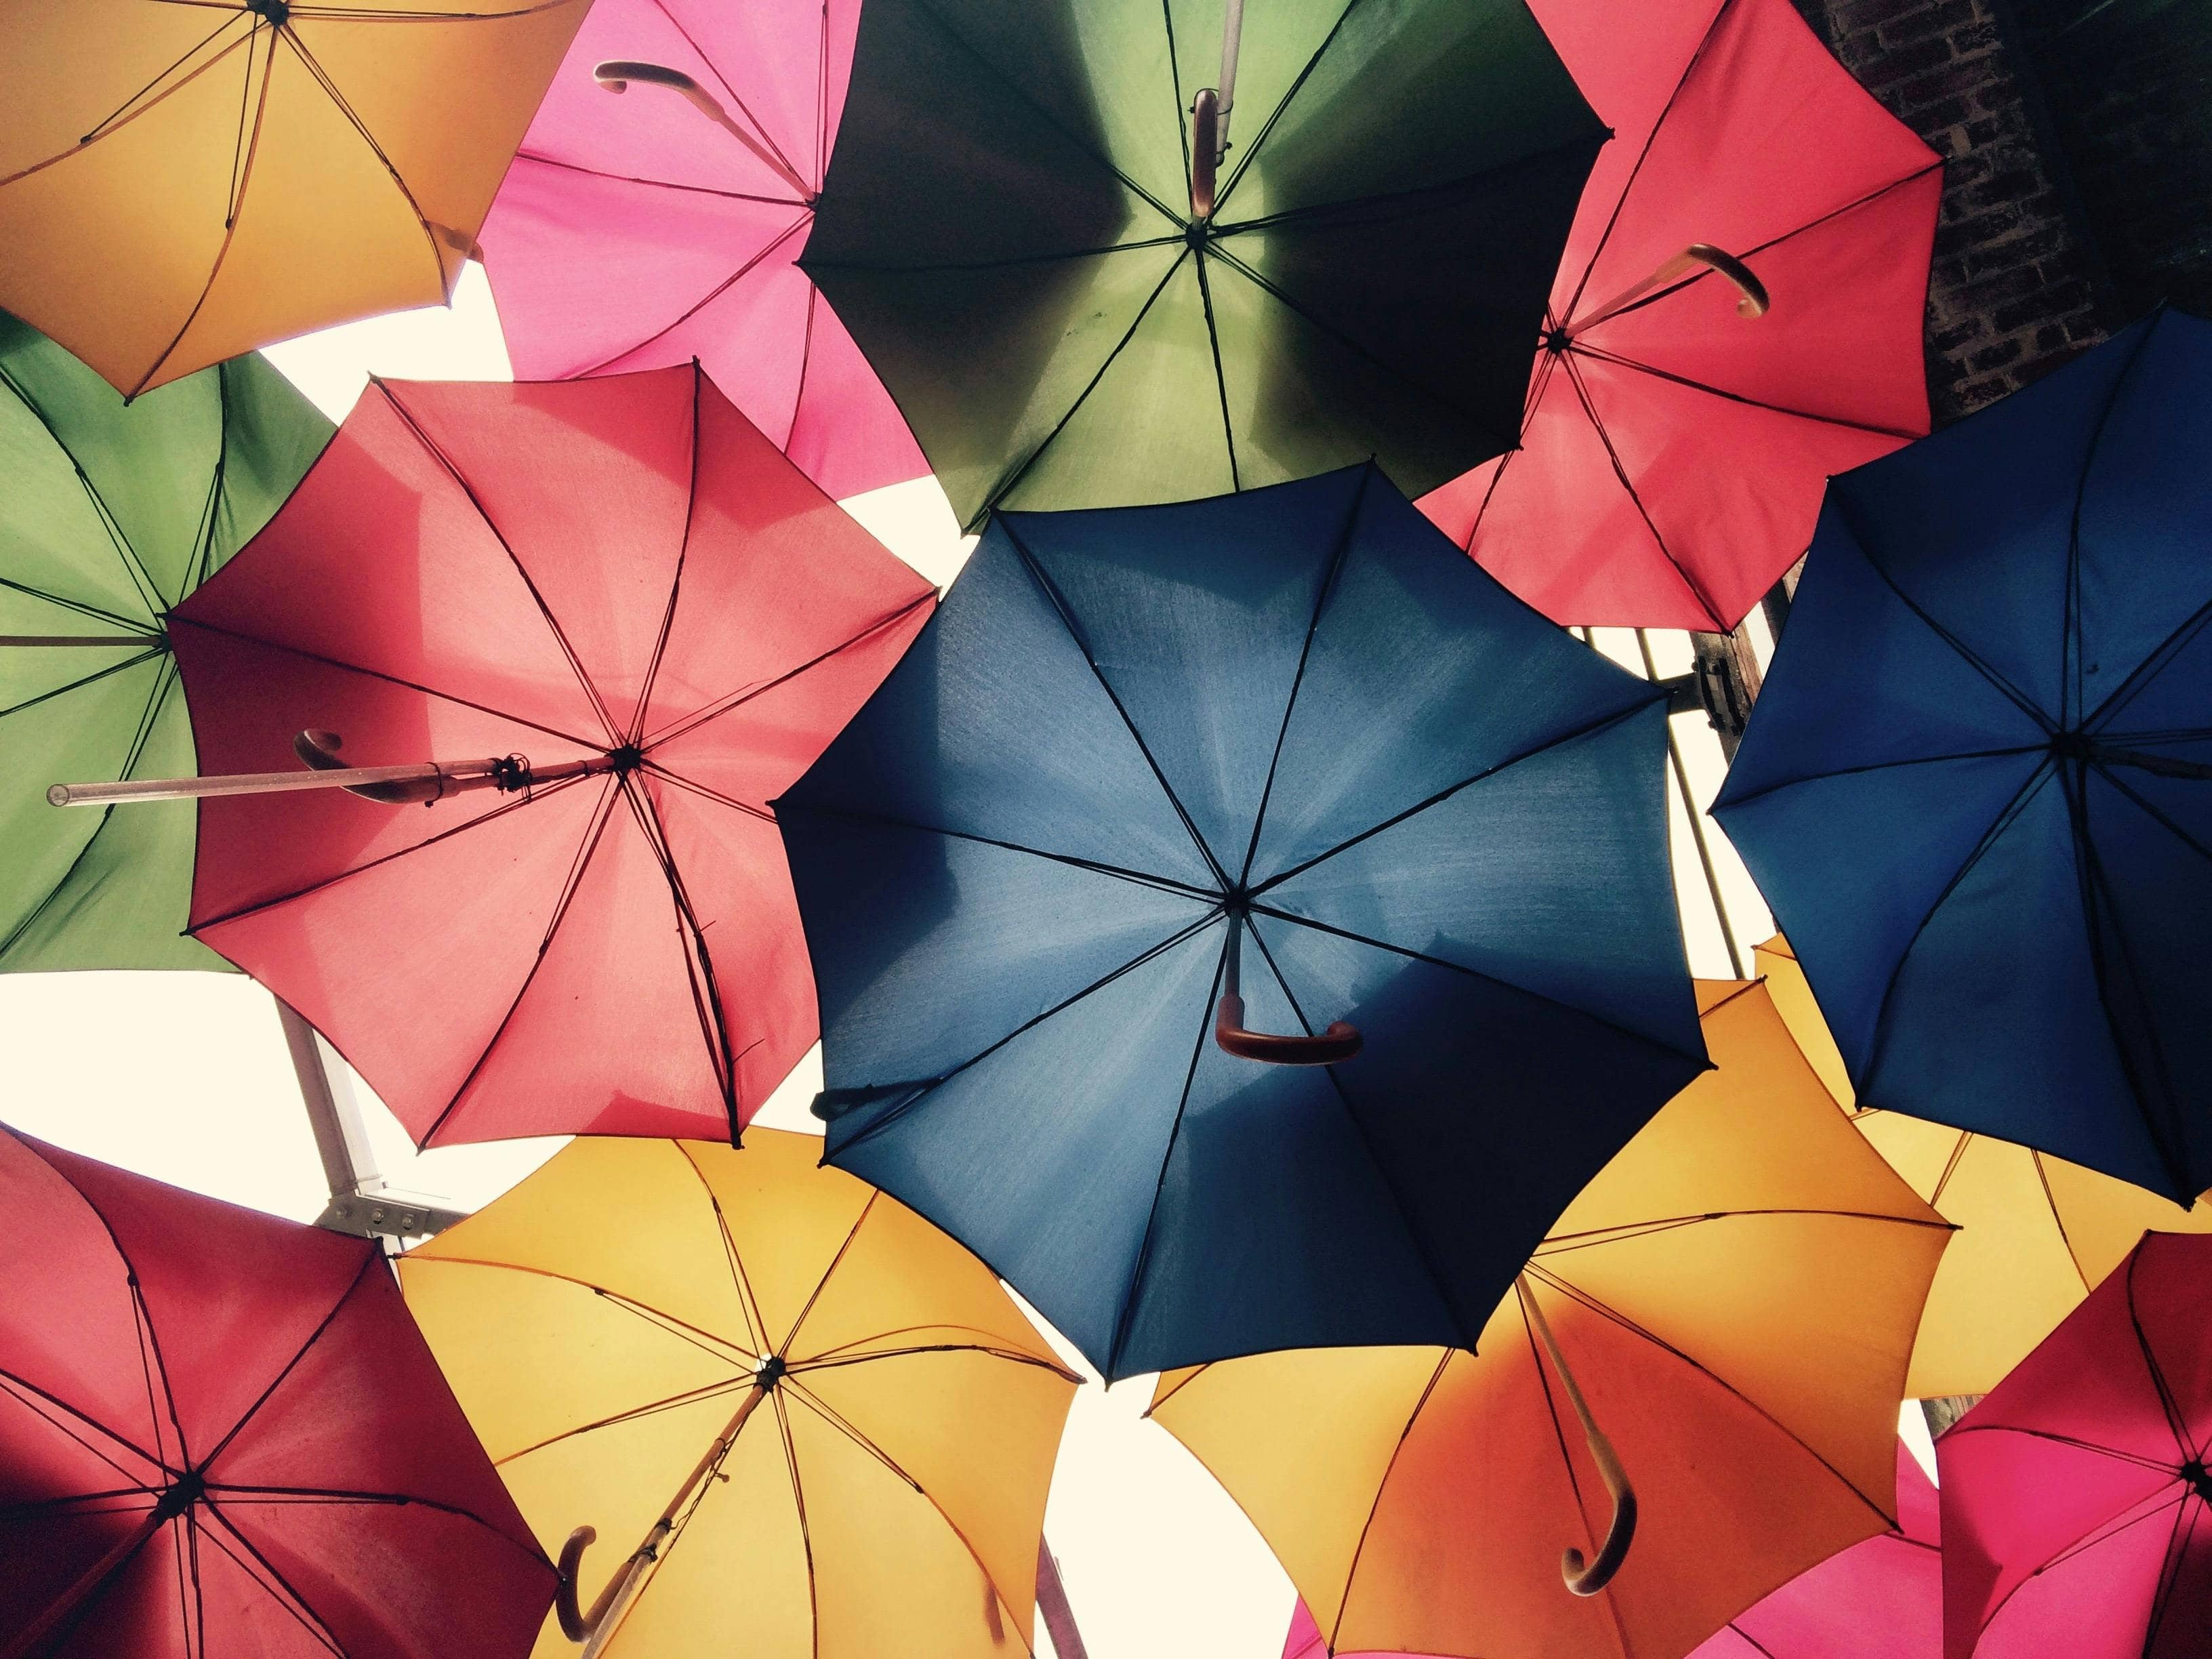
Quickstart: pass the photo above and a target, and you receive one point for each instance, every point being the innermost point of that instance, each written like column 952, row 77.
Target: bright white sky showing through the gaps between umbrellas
column 185, row 1076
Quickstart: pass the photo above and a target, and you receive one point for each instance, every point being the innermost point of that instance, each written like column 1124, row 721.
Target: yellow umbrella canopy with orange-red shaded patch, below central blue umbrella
column 1735, row 1297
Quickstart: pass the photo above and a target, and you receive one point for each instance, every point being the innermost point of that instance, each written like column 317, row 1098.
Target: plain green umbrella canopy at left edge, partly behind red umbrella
column 112, row 514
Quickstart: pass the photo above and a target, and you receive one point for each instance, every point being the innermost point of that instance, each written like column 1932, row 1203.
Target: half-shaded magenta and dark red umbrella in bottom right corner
column 2076, row 1496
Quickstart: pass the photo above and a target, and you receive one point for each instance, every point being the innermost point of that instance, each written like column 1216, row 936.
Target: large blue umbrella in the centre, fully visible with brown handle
column 1242, row 924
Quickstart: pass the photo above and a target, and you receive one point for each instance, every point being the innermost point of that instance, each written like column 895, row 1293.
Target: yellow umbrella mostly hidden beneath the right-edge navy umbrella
column 2036, row 1233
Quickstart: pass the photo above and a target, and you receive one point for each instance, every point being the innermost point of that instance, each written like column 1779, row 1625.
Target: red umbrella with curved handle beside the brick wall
column 1735, row 320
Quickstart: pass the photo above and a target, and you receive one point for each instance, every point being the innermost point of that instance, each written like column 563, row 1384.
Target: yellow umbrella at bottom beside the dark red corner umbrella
column 820, row 1421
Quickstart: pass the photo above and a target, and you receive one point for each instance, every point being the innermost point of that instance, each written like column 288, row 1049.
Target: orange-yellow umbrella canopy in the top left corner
column 185, row 182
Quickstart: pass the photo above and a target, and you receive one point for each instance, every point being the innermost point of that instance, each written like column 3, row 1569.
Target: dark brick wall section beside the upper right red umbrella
column 2016, row 286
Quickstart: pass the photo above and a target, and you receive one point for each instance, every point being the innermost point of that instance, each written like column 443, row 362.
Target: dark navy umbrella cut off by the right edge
column 1979, row 784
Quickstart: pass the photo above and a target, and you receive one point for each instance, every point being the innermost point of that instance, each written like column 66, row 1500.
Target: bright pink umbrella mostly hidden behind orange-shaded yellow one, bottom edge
column 1877, row 1600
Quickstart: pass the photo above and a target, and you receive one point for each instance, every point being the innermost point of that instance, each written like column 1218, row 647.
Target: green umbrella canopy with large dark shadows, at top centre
column 1010, row 231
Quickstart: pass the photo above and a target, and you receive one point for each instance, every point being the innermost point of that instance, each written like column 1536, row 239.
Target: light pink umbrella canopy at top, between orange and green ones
column 634, row 236
